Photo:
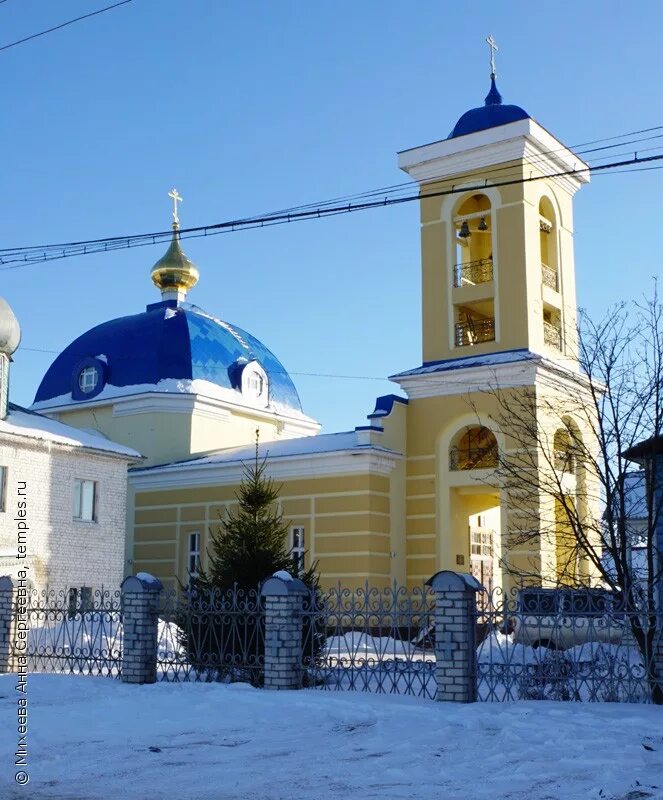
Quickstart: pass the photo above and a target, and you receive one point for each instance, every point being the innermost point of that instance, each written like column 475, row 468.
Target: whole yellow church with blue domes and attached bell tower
column 411, row 491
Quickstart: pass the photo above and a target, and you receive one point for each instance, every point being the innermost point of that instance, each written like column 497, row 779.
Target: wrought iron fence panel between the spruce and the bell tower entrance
column 370, row 640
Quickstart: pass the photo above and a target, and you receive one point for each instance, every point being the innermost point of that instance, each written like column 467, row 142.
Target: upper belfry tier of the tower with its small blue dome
column 497, row 236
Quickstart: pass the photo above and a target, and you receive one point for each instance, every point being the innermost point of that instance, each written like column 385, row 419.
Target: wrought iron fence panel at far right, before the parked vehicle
column 564, row 644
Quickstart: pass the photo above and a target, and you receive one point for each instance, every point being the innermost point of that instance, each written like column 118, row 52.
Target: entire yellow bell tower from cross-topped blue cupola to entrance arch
column 498, row 315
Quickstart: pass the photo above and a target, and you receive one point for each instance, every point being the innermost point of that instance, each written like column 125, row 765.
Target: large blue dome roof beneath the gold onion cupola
column 170, row 340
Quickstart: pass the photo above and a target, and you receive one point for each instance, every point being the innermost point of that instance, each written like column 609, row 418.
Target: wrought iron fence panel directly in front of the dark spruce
column 213, row 636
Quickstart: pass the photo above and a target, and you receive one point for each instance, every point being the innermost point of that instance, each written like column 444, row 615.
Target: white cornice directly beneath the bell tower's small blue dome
column 522, row 140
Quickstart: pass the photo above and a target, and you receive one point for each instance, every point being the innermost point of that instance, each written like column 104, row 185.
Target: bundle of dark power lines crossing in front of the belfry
column 15, row 258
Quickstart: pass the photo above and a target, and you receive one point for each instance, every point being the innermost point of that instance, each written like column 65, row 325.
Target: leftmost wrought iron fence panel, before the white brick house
column 71, row 632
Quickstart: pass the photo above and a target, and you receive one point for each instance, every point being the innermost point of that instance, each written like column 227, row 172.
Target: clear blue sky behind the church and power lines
column 250, row 107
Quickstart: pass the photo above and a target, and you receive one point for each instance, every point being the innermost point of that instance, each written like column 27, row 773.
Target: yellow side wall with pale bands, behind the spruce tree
column 347, row 522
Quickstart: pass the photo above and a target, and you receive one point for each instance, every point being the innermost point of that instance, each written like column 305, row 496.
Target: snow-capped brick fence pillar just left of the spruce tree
column 140, row 624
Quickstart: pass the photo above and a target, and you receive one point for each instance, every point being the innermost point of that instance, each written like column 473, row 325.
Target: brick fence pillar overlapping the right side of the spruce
column 284, row 596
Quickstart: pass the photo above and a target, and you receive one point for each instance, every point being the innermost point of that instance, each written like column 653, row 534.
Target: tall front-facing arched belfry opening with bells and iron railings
column 474, row 314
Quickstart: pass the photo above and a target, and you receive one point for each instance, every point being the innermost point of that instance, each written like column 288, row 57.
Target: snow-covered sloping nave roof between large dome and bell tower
column 301, row 446
